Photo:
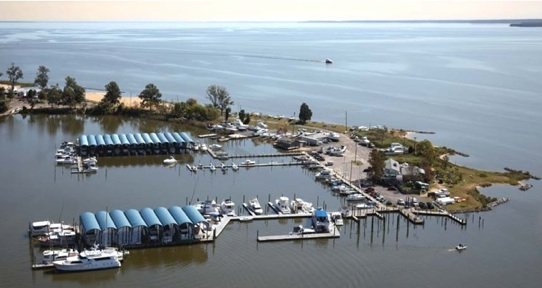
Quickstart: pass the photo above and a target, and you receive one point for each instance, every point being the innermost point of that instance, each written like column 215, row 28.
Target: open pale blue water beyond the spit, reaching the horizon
column 477, row 86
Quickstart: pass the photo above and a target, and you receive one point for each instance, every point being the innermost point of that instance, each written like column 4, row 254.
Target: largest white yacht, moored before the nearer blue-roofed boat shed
column 89, row 260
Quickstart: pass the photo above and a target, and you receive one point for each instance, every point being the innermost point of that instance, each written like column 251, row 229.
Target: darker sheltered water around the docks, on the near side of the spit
column 503, row 249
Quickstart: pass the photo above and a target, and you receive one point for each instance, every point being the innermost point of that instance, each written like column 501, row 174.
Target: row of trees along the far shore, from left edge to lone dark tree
column 72, row 94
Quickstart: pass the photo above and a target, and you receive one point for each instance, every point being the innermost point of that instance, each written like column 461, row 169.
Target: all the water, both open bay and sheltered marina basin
column 475, row 85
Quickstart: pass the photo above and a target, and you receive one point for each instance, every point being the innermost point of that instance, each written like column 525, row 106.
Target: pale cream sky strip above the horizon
column 267, row 10
